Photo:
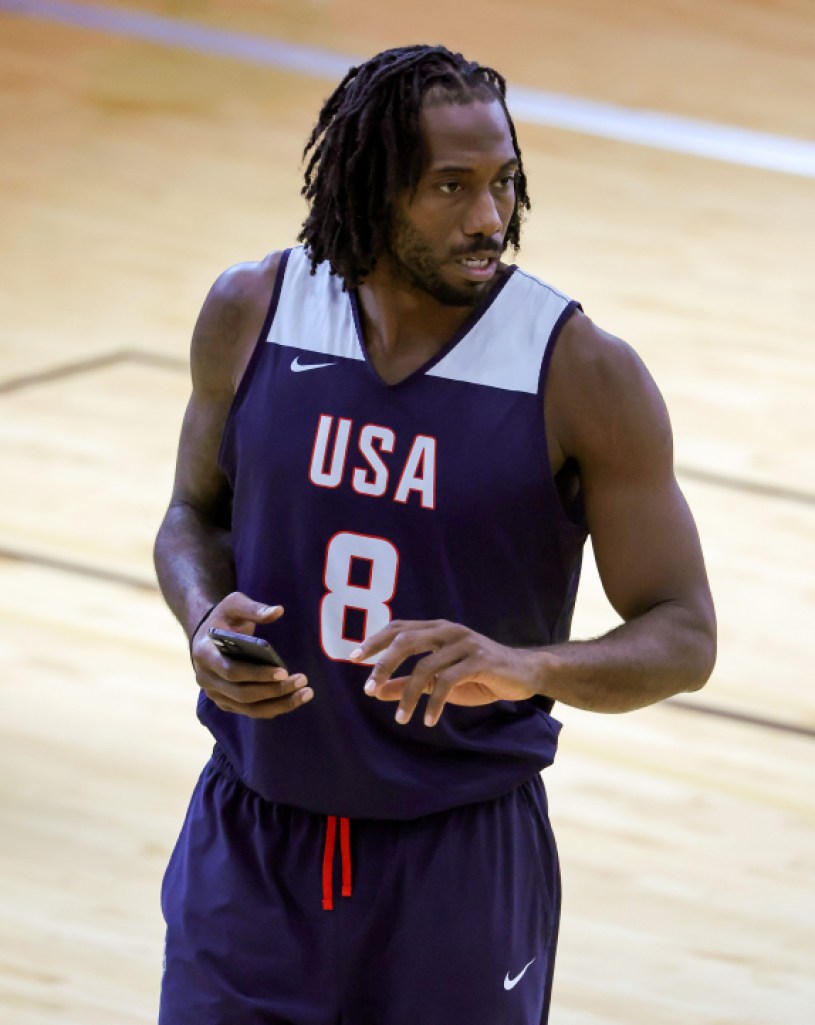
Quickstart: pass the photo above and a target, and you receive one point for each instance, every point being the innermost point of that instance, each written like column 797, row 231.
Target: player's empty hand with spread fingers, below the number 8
column 459, row 667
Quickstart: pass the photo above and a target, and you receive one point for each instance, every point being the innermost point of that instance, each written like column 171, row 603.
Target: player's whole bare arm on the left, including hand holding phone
column 193, row 552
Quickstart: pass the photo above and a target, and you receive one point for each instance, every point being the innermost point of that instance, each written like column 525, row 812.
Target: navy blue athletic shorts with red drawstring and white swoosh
column 279, row 917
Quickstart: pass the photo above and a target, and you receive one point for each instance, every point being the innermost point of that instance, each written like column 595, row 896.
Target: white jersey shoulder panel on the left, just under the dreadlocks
column 314, row 313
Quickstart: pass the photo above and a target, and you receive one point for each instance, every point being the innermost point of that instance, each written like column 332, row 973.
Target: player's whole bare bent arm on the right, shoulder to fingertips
column 605, row 413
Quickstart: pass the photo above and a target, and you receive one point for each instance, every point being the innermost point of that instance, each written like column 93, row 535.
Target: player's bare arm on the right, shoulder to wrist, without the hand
column 610, row 418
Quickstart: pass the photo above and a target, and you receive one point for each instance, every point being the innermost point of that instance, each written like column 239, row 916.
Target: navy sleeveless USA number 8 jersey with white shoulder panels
column 356, row 502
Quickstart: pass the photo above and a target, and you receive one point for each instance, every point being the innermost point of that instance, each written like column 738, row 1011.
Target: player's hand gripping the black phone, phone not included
column 246, row 688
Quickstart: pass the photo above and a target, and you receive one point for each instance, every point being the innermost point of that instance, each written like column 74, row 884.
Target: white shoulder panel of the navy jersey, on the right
column 506, row 348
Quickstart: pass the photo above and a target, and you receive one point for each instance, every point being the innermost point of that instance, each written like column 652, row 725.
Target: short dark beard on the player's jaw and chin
column 416, row 264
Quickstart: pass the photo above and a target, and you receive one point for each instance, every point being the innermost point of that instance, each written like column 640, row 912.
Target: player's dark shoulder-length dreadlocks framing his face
column 368, row 147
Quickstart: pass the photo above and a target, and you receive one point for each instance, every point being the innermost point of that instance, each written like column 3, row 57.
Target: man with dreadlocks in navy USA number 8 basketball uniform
column 395, row 448
